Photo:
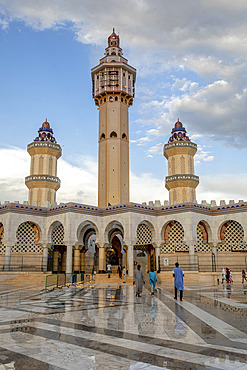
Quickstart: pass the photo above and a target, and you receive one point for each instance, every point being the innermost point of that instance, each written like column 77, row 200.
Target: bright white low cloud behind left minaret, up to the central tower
column 78, row 181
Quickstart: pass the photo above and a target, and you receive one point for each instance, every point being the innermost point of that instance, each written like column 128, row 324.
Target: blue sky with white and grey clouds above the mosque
column 191, row 61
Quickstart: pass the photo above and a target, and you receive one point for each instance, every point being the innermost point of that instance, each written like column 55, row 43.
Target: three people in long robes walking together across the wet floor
column 139, row 280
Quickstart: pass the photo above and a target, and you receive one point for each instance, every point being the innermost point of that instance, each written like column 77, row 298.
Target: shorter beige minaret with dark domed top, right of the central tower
column 181, row 181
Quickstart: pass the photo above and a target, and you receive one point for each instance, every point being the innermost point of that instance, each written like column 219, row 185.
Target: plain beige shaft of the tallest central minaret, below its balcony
column 113, row 186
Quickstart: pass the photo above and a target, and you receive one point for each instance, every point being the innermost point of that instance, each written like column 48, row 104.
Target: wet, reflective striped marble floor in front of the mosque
column 103, row 326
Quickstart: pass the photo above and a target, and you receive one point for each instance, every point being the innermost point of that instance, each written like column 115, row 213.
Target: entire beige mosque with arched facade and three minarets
column 70, row 237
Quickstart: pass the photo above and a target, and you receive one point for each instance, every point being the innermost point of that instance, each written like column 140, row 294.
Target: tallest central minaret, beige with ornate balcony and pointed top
column 113, row 92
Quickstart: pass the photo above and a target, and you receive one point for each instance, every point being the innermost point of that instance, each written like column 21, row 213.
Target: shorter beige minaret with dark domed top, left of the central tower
column 43, row 181
